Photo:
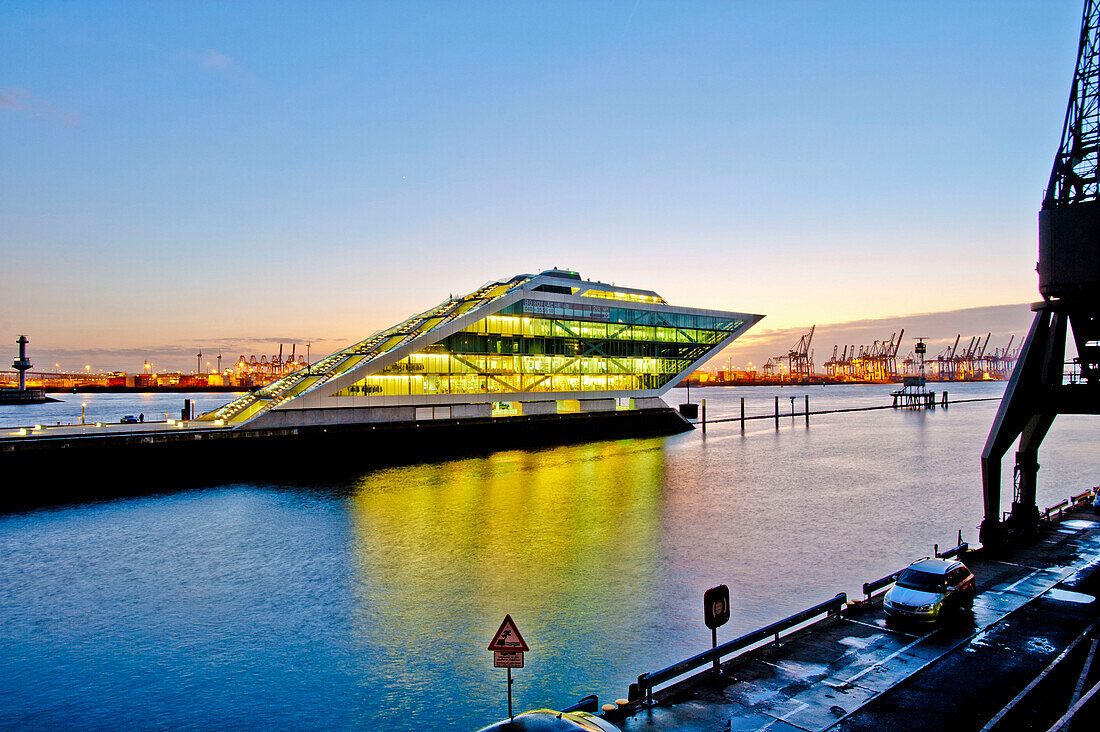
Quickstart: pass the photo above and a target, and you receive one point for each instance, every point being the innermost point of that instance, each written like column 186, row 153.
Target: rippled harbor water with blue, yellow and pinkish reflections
column 370, row 605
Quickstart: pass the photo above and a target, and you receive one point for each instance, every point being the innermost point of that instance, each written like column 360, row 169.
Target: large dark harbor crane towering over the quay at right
column 1070, row 283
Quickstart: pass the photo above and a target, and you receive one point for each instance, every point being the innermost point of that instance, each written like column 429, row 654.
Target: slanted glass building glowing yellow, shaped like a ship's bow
column 541, row 344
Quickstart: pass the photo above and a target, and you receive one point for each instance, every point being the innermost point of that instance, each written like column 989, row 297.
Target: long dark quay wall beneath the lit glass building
column 81, row 467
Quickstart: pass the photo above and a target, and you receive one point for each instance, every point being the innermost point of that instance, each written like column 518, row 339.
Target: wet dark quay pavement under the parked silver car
column 856, row 673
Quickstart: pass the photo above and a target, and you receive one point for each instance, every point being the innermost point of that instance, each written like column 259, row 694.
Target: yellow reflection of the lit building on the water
column 555, row 537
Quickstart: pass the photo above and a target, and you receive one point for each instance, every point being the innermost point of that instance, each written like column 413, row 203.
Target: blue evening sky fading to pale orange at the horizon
column 183, row 177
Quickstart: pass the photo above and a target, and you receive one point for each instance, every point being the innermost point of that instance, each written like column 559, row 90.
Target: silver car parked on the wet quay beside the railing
column 928, row 588
